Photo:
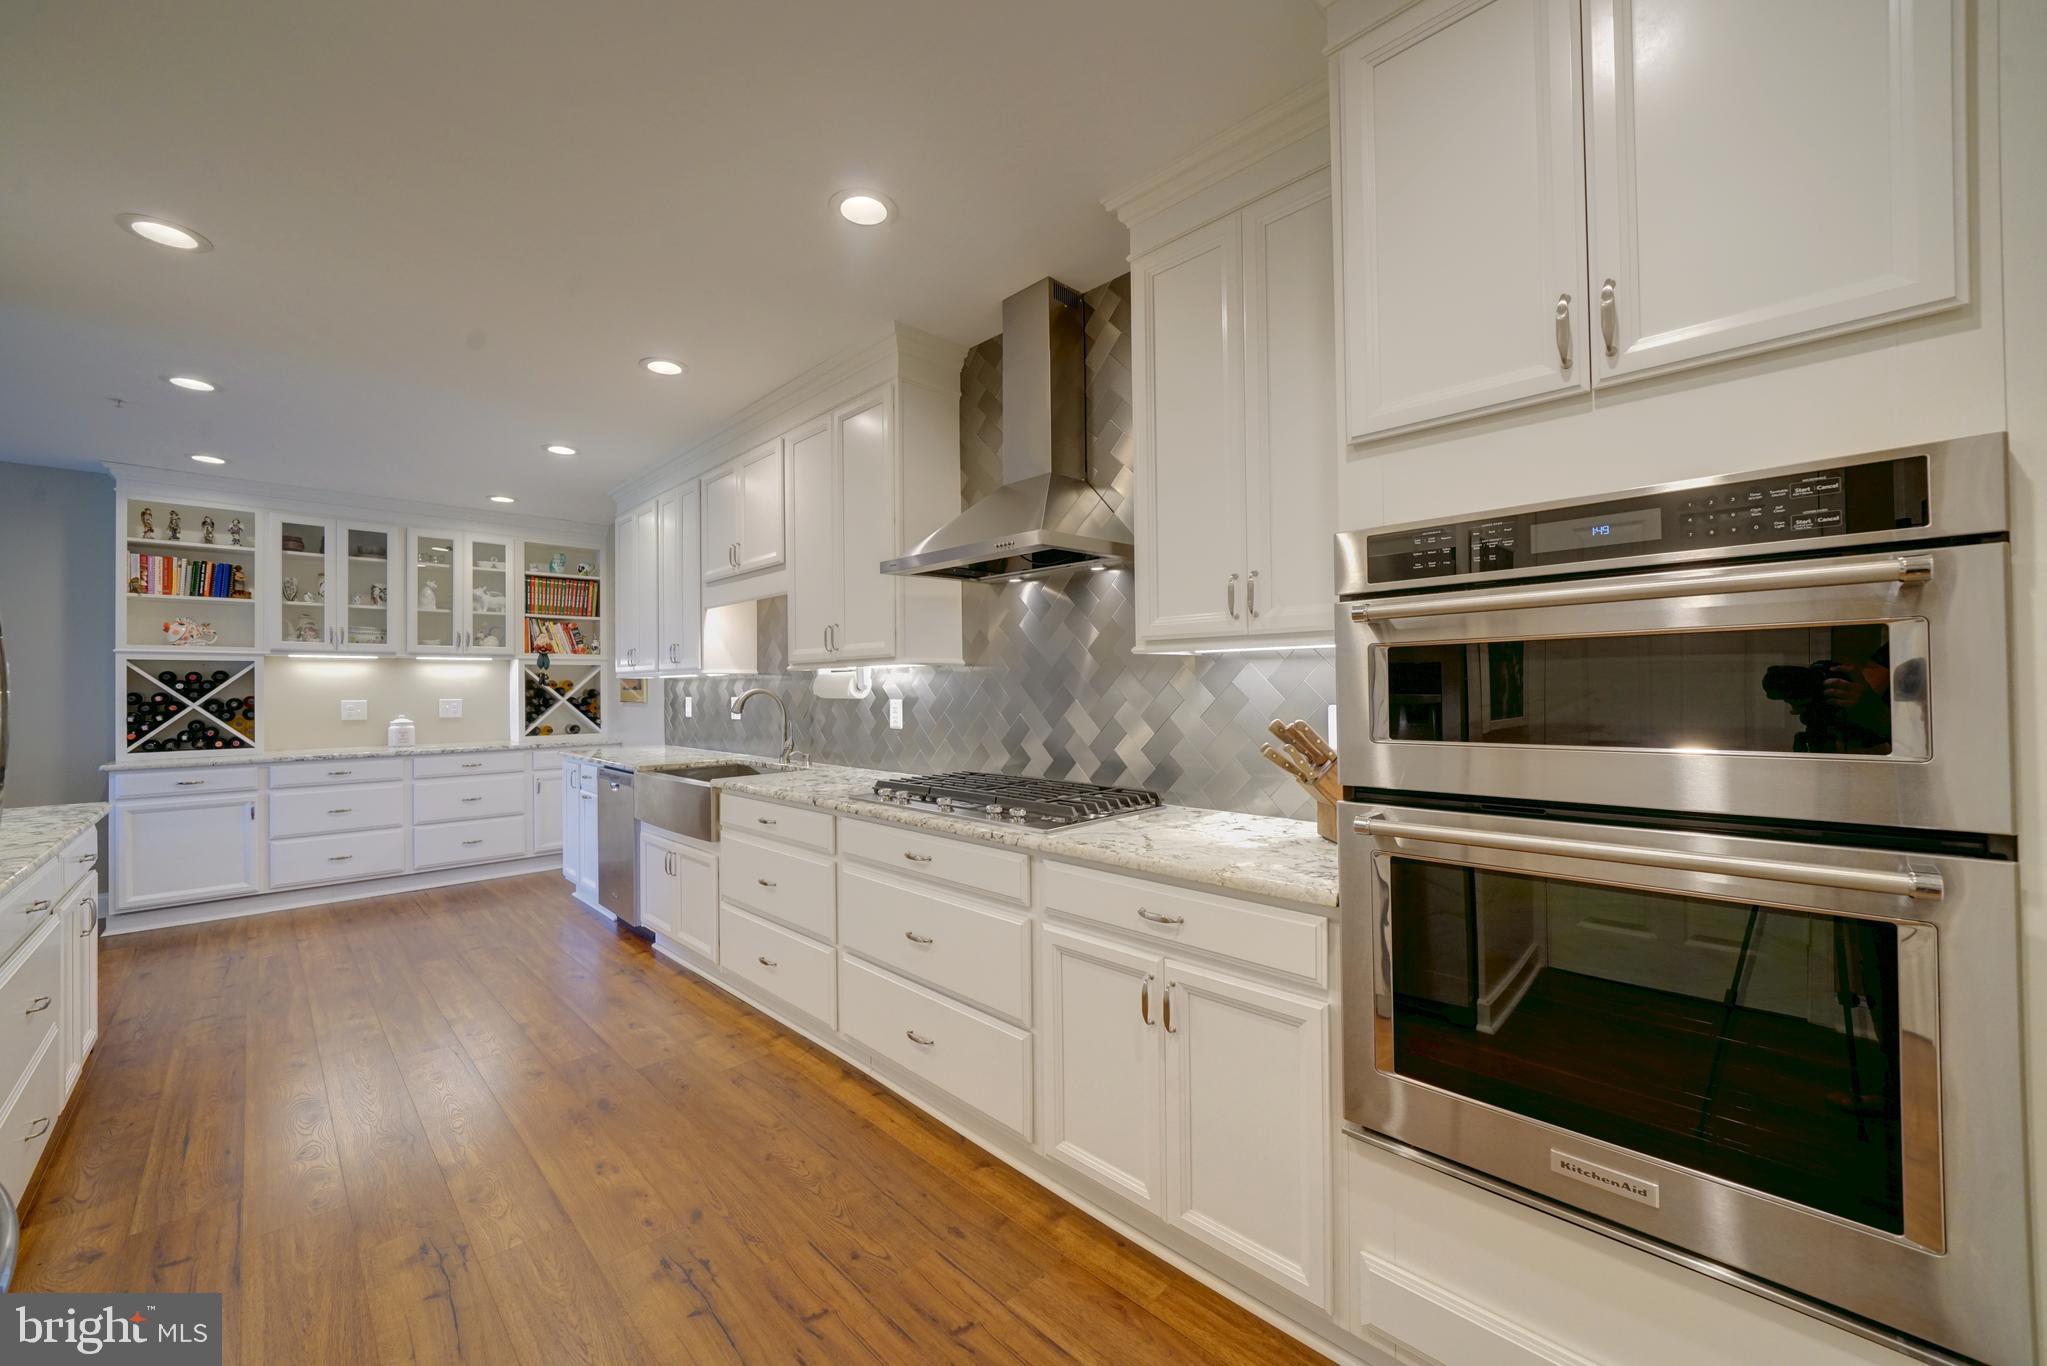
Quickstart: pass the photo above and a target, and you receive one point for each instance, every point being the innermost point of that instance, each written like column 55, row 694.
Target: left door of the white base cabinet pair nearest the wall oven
column 1102, row 1074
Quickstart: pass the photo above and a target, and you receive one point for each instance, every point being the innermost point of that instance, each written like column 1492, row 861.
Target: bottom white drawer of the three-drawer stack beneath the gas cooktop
column 957, row 1050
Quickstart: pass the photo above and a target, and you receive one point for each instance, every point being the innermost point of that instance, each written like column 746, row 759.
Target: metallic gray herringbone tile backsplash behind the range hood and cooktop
column 1053, row 685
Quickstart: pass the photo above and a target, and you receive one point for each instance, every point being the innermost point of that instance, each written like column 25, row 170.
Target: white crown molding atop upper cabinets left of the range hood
column 904, row 353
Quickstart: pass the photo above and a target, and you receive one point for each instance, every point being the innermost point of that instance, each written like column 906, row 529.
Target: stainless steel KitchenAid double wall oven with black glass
column 1678, row 878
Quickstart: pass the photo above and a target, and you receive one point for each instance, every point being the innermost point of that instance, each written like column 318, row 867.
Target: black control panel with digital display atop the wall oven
column 1725, row 515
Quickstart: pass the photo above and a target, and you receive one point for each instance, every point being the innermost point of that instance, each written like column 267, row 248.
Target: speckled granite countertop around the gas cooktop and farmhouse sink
column 1258, row 855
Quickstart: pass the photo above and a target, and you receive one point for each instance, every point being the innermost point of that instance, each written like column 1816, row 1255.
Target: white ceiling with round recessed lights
column 447, row 232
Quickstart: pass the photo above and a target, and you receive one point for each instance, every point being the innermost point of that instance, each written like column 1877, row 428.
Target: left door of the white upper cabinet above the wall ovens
column 1463, row 212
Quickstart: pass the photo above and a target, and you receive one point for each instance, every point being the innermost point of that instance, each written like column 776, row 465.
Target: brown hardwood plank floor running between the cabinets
column 480, row 1125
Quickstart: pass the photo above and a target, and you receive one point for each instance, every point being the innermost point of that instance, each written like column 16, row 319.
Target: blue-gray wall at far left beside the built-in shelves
column 58, row 613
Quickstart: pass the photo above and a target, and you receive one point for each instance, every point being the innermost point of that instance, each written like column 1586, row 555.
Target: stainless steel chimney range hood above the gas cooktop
column 1047, row 515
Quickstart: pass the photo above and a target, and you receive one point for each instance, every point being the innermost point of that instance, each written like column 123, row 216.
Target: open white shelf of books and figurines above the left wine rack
column 189, row 579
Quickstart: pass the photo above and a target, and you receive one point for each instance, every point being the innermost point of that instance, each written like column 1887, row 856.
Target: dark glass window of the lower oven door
column 1780, row 1050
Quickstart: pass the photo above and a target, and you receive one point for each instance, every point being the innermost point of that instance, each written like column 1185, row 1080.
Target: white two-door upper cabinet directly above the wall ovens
column 1542, row 198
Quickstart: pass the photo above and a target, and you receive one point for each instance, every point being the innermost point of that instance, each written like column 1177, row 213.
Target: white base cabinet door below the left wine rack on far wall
column 177, row 851
